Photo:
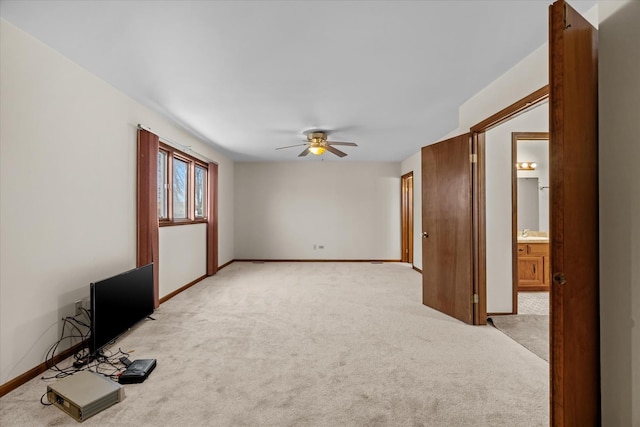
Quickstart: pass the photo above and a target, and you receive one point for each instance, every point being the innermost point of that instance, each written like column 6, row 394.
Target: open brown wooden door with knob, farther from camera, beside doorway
column 447, row 263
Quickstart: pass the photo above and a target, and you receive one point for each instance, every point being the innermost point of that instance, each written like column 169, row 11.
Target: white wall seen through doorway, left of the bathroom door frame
column 498, row 169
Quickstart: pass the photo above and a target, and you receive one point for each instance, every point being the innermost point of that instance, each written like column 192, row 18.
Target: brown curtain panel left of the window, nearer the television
column 147, row 233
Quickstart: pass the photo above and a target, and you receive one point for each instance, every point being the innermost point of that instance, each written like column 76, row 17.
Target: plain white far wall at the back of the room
column 284, row 209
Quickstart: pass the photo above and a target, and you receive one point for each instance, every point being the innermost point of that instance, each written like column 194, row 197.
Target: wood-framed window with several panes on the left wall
column 182, row 187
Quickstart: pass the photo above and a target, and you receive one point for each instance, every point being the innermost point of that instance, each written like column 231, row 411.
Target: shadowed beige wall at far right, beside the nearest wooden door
column 619, row 104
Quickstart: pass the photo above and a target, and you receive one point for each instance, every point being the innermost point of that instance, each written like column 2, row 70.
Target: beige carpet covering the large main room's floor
column 313, row 344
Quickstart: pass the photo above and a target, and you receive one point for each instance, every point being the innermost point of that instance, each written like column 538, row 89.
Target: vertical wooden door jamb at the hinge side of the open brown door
column 479, row 230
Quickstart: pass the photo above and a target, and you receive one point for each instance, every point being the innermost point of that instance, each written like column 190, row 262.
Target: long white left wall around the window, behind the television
column 67, row 191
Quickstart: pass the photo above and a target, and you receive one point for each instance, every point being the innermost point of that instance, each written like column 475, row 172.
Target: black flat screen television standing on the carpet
column 118, row 303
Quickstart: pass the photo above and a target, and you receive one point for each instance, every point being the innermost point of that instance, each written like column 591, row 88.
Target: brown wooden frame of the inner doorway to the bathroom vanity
column 515, row 136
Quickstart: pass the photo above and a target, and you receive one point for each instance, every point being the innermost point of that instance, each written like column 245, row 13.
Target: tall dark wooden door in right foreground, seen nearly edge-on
column 575, row 346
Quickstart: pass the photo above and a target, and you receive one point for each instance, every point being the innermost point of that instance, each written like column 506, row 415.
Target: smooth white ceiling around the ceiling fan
column 250, row 76
